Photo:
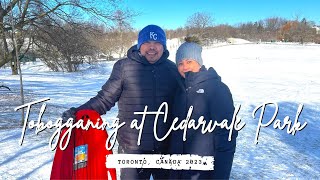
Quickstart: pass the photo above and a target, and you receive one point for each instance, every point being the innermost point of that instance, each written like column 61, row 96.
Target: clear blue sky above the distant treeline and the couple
column 173, row 14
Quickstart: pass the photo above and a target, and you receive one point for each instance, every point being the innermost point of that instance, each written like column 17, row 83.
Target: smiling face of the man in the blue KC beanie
column 152, row 50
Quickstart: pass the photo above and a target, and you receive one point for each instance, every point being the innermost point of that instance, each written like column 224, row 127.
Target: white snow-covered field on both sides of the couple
column 286, row 75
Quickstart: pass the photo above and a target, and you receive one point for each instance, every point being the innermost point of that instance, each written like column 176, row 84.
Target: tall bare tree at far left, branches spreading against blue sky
column 29, row 13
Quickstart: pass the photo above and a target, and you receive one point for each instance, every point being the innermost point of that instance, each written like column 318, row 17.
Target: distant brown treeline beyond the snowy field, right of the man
column 269, row 30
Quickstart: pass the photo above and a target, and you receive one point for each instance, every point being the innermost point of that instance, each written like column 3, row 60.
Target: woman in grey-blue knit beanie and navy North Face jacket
column 210, row 98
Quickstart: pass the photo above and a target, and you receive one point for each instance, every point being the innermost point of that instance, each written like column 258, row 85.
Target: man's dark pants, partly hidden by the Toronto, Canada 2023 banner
column 141, row 173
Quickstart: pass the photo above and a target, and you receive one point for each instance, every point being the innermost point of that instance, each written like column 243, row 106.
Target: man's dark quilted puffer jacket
column 135, row 83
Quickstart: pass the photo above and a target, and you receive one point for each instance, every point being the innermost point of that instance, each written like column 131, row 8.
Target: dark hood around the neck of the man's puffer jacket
column 134, row 54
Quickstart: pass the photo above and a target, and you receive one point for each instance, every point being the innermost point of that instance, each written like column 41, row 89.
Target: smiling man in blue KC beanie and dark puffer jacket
column 145, row 78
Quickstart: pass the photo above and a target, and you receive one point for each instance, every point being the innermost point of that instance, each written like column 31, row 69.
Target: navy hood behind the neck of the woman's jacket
column 203, row 75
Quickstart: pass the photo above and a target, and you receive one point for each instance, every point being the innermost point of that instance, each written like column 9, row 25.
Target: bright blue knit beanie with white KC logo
column 152, row 33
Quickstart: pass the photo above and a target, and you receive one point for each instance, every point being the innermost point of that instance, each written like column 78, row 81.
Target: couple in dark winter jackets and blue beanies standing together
column 147, row 78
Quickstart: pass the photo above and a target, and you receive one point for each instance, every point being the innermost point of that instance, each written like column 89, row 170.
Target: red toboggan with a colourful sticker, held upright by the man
column 85, row 155
